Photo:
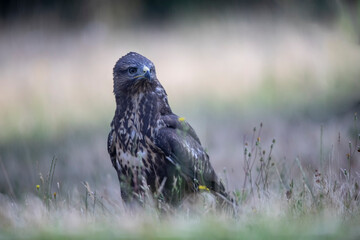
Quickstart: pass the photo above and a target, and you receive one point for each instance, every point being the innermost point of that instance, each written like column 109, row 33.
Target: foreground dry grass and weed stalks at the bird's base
column 273, row 202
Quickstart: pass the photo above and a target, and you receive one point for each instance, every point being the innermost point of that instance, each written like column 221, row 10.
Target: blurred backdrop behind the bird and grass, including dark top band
column 227, row 66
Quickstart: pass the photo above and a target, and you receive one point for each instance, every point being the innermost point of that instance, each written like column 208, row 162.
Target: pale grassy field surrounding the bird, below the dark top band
column 274, row 101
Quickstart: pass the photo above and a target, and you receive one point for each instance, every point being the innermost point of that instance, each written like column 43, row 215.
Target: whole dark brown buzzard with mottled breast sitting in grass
column 149, row 144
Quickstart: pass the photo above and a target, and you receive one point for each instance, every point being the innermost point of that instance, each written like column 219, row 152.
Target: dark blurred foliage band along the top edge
column 76, row 13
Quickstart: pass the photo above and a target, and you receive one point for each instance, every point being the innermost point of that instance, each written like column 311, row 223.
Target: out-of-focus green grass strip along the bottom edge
column 209, row 228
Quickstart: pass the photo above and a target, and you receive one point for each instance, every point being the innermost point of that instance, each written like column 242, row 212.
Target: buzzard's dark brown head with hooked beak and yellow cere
column 134, row 73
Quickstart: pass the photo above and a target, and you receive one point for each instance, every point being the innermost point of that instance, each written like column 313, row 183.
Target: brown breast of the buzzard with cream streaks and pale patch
column 137, row 123
